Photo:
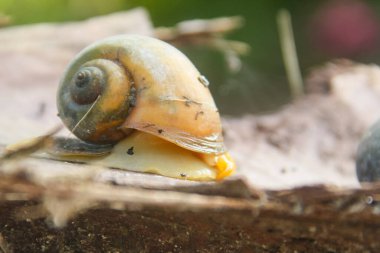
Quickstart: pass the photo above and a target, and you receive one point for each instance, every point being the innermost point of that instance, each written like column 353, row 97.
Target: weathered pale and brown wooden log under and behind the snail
column 272, row 204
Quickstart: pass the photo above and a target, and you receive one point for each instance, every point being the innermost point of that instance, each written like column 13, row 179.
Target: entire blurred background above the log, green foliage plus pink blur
column 323, row 30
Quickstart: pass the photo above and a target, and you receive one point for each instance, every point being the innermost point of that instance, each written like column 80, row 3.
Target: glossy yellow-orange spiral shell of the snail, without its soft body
column 132, row 82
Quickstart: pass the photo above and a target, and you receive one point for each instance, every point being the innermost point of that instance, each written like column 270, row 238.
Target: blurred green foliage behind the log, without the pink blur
column 260, row 85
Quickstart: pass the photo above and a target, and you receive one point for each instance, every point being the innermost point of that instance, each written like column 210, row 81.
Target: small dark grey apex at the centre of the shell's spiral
column 87, row 84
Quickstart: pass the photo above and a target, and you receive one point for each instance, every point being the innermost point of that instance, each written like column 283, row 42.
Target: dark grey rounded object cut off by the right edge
column 368, row 156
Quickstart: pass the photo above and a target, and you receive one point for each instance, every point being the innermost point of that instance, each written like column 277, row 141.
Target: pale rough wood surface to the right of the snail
column 313, row 140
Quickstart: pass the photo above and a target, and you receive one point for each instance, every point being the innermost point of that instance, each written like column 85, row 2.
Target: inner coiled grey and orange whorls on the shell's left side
column 94, row 99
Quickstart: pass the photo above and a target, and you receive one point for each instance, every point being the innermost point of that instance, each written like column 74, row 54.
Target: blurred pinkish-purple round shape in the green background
column 345, row 28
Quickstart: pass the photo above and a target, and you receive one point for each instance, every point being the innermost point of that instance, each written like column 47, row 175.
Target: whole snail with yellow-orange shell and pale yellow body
column 138, row 103
